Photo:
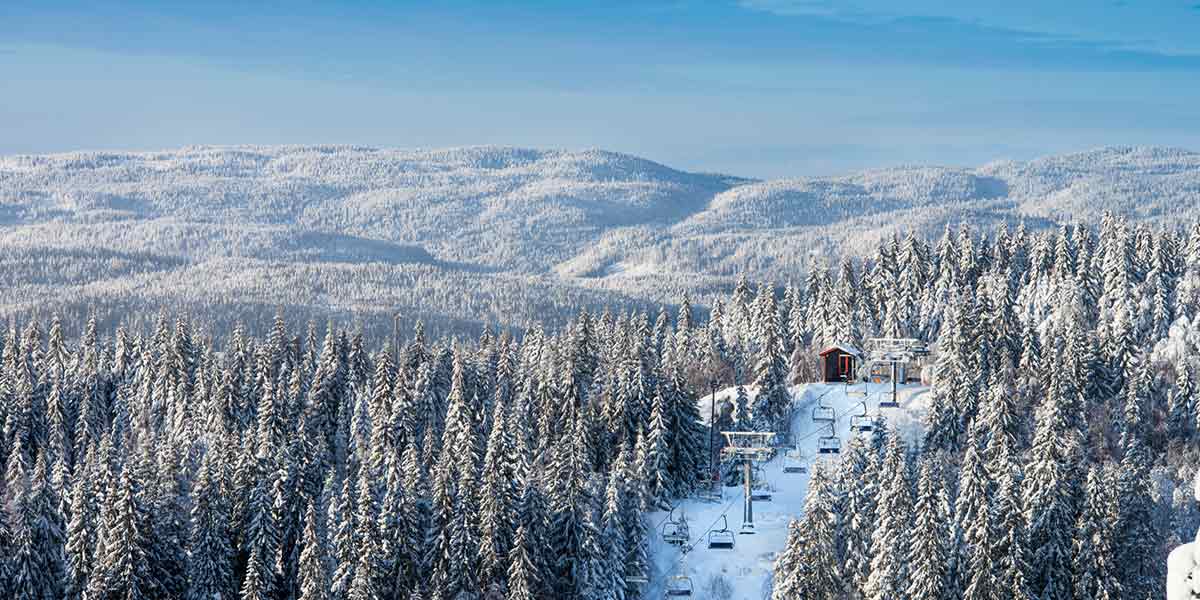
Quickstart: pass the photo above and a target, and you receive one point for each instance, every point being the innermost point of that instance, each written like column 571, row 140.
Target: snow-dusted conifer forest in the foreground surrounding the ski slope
column 171, row 460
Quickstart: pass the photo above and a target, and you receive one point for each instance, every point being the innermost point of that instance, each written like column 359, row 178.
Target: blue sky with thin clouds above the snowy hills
column 757, row 88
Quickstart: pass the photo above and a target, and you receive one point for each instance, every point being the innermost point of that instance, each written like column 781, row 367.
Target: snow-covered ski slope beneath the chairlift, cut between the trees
column 748, row 567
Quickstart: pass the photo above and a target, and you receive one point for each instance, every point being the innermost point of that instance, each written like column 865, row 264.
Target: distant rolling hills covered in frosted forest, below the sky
column 499, row 236
